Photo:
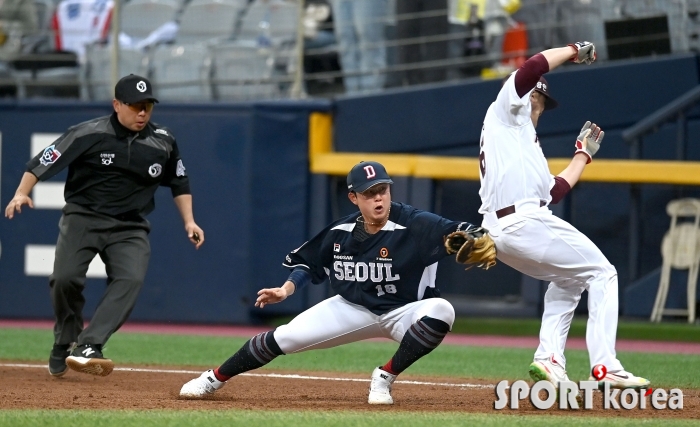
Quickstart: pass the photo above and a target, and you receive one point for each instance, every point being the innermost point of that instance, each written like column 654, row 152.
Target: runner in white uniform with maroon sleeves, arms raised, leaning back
column 516, row 187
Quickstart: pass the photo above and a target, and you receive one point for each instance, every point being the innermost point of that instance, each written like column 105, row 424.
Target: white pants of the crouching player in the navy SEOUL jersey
column 336, row 321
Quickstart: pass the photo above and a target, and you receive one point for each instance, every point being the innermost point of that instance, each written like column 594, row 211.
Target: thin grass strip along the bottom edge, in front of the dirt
column 389, row 418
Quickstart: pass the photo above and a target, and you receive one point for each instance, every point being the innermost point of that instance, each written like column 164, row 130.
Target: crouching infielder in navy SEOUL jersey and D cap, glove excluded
column 381, row 263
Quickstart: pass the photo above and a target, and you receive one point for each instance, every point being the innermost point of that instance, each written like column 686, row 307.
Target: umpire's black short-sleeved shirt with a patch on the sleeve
column 113, row 170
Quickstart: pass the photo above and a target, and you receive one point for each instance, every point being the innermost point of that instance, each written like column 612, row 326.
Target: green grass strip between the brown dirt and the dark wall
column 447, row 360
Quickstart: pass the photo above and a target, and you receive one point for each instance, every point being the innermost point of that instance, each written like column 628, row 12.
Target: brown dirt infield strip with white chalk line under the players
column 153, row 389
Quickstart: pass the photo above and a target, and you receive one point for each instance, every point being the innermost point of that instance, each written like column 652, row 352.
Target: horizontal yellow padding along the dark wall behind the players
column 467, row 168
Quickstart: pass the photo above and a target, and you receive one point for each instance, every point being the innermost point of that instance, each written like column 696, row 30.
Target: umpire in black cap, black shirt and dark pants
column 115, row 164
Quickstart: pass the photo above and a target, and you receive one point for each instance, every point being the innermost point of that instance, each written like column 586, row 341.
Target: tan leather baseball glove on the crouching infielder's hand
column 473, row 247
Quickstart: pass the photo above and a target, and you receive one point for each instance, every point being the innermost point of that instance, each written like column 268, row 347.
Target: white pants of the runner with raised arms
column 539, row 244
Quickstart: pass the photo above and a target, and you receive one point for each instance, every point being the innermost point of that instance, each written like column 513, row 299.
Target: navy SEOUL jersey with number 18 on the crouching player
column 392, row 268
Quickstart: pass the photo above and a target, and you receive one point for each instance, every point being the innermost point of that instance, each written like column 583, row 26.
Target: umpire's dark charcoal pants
column 124, row 248
